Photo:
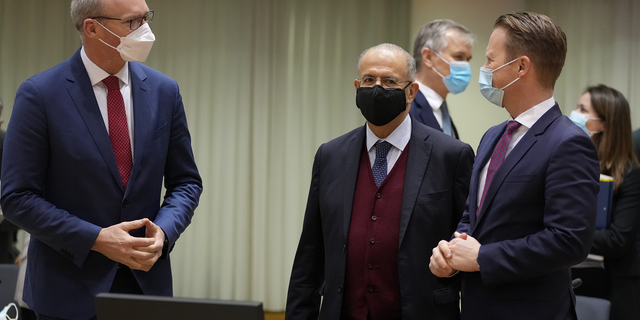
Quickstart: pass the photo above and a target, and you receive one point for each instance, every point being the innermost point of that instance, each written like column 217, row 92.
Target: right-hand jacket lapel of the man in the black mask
column 417, row 161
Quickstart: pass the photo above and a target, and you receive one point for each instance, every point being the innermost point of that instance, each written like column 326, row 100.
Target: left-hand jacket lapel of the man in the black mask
column 352, row 152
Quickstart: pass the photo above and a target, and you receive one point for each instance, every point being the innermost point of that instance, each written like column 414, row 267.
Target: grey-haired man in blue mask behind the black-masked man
column 442, row 50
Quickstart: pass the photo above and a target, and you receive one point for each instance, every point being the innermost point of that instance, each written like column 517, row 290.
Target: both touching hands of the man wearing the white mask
column 117, row 244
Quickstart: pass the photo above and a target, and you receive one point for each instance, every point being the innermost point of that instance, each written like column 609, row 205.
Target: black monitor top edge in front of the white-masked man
column 116, row 306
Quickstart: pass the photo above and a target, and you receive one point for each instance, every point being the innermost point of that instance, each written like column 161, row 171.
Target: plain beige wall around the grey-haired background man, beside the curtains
column 470, row 111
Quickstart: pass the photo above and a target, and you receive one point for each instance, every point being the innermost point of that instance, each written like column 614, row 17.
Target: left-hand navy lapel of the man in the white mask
column 81, row 92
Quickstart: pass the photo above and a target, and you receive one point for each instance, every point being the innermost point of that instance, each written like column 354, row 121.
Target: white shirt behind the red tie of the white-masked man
column 96, row 75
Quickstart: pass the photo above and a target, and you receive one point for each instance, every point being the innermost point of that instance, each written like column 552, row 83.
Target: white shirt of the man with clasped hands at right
column 527, row 119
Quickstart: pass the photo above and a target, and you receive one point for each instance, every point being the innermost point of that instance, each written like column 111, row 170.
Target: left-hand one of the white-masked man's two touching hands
column 117, row 244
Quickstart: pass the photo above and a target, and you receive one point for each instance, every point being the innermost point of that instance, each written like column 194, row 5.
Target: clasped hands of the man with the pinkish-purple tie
column 459, row 254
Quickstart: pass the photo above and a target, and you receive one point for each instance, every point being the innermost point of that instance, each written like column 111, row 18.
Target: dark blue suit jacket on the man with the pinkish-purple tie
column 538, row 219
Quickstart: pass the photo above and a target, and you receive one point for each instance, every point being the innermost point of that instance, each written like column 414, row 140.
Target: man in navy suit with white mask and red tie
column 89, row 146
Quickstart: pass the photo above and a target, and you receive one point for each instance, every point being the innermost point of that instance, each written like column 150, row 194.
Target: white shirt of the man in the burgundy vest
column 398, row 140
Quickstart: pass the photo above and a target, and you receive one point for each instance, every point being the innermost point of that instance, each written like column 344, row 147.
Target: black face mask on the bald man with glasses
column 379, row 105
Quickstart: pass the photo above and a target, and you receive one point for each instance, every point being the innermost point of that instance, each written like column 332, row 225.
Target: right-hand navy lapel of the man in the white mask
column 142, row 113
